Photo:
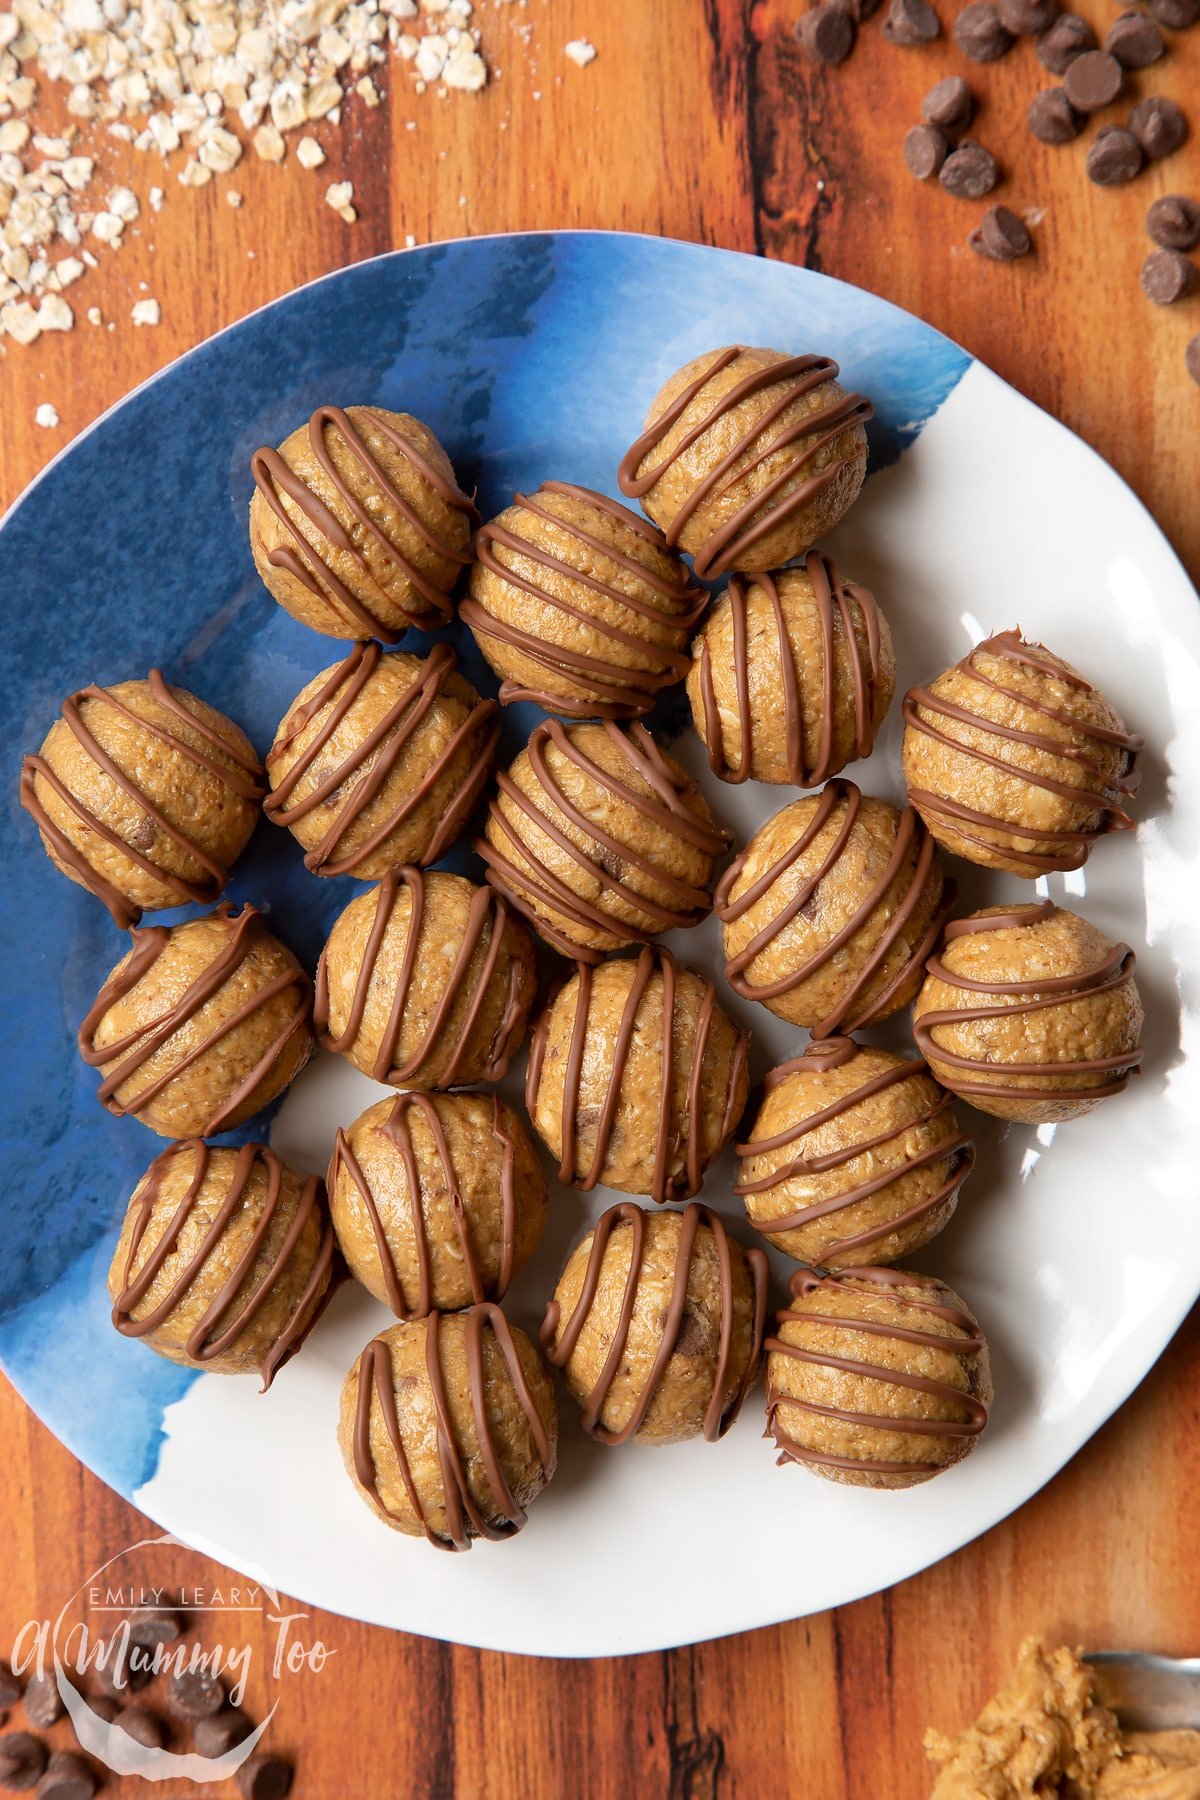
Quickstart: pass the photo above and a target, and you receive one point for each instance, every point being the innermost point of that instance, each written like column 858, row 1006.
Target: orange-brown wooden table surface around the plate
column 697, row 120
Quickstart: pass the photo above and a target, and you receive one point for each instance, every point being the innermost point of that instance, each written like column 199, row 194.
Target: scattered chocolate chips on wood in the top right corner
column 1091, row 78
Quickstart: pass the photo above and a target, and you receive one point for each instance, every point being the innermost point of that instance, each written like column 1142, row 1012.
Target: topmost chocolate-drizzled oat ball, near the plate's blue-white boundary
column 749, row 456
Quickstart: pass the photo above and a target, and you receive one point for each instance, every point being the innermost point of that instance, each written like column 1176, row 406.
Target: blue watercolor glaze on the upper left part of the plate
column 533, row 359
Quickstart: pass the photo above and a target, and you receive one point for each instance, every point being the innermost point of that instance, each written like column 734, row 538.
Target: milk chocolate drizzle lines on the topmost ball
column 809, row 436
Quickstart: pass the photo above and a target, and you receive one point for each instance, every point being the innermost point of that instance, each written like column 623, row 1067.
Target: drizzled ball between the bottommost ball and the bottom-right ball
column 658, row 1326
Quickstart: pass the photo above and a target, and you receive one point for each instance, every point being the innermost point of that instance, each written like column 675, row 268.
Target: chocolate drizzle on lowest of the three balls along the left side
column 224, row 1318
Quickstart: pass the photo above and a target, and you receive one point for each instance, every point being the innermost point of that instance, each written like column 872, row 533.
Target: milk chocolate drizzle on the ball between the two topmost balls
column 667, row 602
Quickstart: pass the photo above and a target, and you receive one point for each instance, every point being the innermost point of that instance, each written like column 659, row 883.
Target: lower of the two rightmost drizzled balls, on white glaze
column 1030, row 1012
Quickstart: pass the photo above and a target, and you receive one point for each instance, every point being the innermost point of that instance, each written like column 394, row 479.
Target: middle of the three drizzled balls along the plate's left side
column 201, row 1025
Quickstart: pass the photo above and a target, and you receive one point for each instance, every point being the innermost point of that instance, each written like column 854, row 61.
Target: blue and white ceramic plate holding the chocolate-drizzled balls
column 535, row 357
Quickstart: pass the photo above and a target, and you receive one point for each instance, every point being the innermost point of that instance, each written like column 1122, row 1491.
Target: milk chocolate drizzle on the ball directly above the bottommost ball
column 399, row 1133
